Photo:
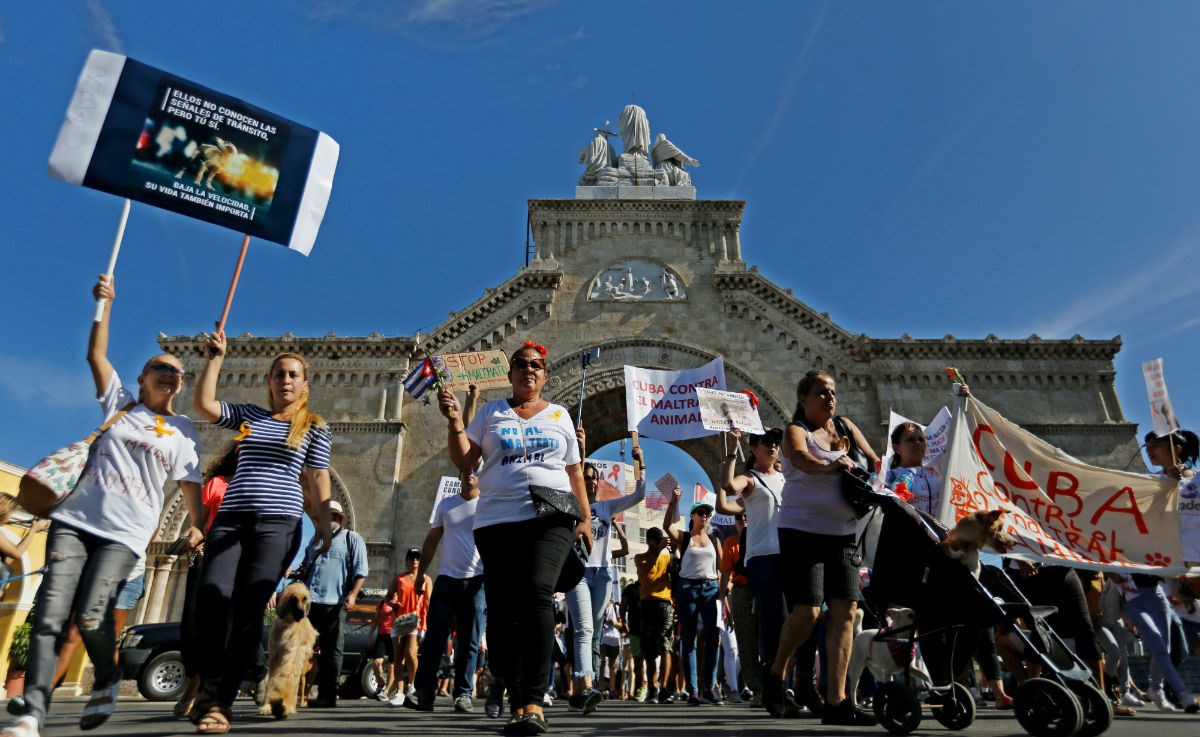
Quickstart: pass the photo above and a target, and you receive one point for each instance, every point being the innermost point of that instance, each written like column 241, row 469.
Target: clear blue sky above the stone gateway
column 927, row 169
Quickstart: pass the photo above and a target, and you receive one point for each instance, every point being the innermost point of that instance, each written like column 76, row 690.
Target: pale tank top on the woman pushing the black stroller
column 813, row 502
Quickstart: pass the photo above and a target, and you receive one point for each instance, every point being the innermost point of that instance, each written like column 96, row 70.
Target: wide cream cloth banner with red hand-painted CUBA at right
column 1059, row 510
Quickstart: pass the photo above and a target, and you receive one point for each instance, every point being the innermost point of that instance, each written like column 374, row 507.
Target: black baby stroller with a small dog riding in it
column 952, row 609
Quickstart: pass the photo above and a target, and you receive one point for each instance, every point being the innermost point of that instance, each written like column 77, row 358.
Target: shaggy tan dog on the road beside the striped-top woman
column 290, row 652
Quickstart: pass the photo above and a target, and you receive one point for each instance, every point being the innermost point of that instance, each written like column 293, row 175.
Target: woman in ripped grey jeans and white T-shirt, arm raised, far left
column 101, row 530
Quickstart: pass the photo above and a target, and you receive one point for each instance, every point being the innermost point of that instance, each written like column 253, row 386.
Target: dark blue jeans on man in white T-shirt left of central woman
column 453, row 602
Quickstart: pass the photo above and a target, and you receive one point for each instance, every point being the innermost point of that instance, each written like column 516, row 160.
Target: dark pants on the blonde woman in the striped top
column 244, row 559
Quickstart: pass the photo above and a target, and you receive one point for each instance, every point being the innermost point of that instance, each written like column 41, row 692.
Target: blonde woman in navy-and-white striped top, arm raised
column 257, row 530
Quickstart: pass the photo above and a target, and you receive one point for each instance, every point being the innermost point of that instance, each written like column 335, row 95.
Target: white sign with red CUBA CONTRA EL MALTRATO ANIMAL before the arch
column 663, row 405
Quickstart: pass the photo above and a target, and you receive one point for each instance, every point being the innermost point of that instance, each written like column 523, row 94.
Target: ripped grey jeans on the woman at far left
column 82, row 576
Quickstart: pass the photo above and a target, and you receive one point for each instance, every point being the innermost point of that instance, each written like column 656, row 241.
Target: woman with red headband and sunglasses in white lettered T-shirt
column 532, row 507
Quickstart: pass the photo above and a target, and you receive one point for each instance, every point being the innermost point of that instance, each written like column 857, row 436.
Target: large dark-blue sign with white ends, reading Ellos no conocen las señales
column 143, row 134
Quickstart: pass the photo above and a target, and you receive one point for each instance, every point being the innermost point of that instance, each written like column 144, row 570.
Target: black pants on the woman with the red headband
column 521, row 566
